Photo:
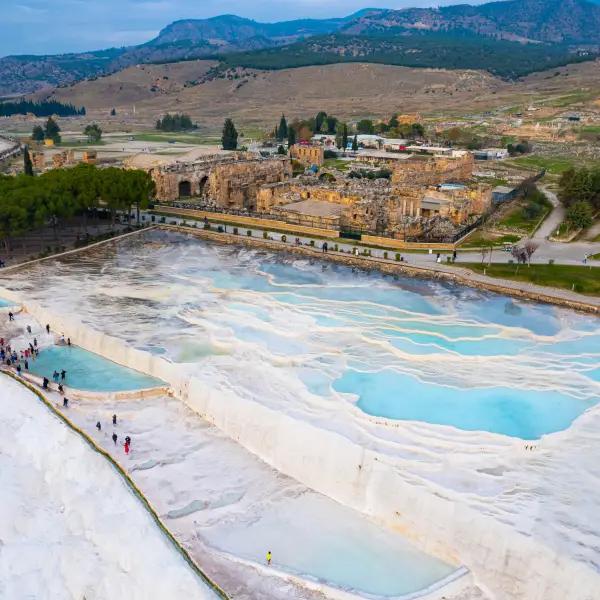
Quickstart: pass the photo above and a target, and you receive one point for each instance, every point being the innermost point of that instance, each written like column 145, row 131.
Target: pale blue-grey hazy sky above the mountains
column 49, row 26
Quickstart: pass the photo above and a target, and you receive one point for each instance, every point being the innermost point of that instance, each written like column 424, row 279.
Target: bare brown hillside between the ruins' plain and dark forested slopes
column 143, row 93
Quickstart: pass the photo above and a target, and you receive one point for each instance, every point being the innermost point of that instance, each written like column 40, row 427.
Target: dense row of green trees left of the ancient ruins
column 27, row 203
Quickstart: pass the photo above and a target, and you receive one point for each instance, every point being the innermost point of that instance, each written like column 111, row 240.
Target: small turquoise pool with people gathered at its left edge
column 89, row 371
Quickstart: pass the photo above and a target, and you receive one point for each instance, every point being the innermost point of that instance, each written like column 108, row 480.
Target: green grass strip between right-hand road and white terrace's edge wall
column 585, row 280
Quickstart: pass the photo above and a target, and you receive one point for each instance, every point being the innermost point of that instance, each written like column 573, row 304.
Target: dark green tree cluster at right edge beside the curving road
column 579, row 191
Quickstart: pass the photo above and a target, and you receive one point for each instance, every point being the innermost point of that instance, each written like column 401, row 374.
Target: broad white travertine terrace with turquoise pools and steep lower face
column 459, row 416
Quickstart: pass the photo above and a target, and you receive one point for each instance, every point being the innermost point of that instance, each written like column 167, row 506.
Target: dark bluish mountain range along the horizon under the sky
column 543, row 32
